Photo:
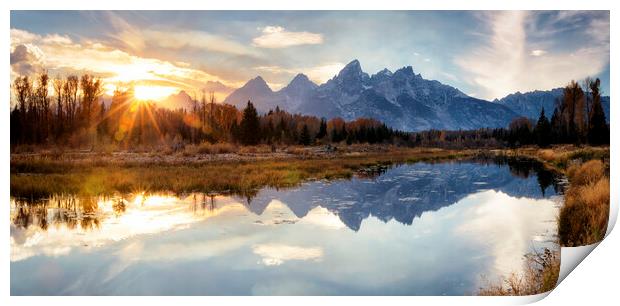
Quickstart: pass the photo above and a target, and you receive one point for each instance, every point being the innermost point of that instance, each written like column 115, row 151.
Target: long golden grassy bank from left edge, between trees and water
column 41, row 177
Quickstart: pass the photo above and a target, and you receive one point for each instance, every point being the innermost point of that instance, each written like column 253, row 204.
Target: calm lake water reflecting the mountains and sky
column 421, row 229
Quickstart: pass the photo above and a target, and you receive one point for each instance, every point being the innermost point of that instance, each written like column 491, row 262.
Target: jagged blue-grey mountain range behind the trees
column 402, row 99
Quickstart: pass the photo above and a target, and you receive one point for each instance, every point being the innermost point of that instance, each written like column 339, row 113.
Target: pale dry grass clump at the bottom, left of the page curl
column 540, row 275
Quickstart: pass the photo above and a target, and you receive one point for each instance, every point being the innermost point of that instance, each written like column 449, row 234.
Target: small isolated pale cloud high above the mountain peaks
column 279, row 37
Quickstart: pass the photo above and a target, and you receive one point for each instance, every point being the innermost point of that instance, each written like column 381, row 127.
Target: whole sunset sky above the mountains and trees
column 486, row 54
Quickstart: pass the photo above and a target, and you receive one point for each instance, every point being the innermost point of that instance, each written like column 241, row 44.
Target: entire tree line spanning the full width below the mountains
column 76, row 116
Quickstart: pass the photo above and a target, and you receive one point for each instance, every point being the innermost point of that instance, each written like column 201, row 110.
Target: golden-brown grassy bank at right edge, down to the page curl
column 583, row 217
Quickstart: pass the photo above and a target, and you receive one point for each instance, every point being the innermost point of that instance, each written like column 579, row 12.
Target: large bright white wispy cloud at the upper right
column 505, row 65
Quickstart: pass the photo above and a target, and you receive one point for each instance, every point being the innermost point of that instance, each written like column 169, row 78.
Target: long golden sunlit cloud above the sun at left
column 31, row 53
